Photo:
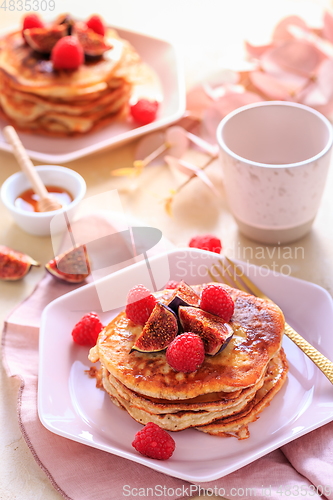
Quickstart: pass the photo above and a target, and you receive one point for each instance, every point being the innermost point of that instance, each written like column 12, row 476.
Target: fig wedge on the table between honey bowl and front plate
column 72, row 266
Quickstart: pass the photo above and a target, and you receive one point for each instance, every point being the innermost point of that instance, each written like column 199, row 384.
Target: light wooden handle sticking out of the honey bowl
column 24, row 161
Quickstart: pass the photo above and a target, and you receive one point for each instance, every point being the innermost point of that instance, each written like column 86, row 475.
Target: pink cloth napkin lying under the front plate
column 302, row 468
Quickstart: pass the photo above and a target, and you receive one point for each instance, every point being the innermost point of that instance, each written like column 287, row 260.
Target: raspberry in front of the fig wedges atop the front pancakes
column 186, row 353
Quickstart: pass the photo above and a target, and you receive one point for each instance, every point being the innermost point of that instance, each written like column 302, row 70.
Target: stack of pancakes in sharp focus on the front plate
column 222, row 397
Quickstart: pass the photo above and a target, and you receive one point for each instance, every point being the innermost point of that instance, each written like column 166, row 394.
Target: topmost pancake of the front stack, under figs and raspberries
column 258, row 329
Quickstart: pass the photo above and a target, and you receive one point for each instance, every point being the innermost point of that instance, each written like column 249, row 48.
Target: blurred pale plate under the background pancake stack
column 164, row 59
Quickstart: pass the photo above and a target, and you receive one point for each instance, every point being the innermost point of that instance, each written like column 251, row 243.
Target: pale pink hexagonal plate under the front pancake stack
column 70, row 405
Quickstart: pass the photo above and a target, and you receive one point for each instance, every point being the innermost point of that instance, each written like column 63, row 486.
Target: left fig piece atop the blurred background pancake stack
column 44, row 39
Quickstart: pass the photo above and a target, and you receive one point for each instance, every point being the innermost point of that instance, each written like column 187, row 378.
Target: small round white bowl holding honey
column 38, row 223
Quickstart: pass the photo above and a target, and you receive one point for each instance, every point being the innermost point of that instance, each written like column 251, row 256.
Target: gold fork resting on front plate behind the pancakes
column 324, row 364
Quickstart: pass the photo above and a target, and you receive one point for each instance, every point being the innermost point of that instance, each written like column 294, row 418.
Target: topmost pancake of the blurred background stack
column 32, row 72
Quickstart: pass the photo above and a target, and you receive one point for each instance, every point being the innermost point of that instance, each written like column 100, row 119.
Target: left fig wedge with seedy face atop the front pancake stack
column 159, row 331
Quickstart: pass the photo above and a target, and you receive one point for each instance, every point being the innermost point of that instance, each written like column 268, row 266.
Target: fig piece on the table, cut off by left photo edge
column 14, row 265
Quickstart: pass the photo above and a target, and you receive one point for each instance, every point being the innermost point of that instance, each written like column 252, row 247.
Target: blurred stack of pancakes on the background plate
column 36, row 98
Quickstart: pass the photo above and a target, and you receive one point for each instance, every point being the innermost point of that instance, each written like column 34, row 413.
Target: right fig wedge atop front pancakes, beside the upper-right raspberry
column 214, row 332
